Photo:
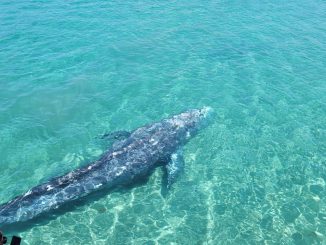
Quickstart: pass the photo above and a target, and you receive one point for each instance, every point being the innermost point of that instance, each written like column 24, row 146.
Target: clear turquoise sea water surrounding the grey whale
column 73, row 70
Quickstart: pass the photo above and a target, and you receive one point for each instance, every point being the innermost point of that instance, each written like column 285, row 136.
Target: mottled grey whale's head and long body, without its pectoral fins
column 127, row 160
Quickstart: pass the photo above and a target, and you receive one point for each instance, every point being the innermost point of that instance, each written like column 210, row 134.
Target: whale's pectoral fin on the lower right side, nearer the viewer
column 174, row 168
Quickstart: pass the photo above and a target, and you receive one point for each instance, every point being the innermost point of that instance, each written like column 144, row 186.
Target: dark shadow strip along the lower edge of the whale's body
column 44, row 219
